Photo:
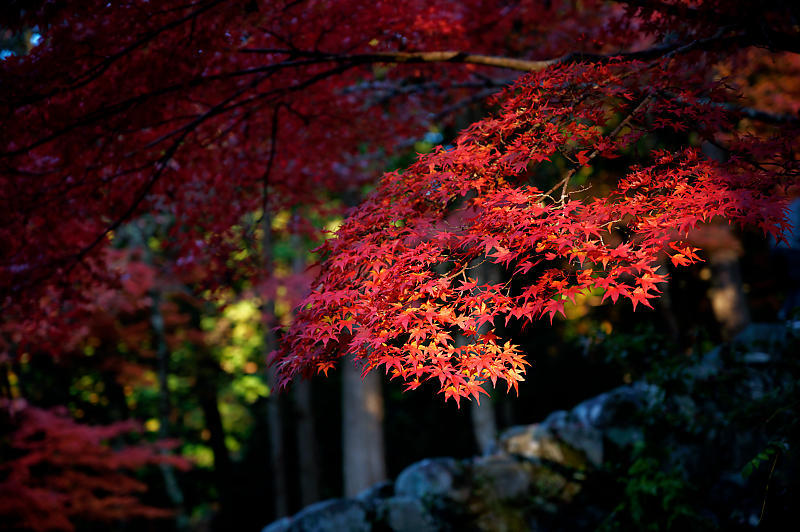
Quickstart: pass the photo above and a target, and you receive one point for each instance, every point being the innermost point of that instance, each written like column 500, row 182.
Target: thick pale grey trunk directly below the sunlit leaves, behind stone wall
column 362, row 429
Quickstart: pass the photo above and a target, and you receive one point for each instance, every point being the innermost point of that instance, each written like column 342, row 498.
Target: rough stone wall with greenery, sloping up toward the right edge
column 569, row 472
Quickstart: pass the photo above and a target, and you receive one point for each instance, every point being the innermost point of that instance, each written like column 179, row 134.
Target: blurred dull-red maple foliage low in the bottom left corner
column 56, row 471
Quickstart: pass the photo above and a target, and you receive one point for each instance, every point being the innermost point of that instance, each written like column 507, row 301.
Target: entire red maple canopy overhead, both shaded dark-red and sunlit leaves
column 208, row 111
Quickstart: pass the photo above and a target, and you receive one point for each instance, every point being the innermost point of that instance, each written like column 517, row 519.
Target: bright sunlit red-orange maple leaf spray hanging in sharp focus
column 397, row 287
